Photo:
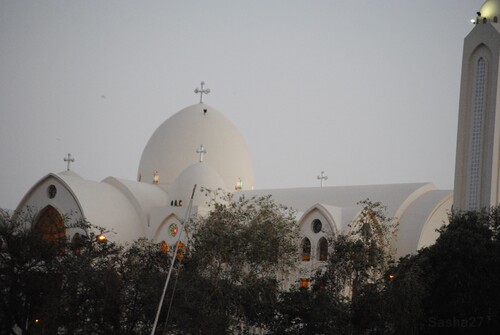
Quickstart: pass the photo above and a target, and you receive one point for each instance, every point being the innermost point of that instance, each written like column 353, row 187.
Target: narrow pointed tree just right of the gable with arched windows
column 357, row 266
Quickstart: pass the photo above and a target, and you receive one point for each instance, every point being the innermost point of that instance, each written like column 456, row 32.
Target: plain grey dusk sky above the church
column 365, row 90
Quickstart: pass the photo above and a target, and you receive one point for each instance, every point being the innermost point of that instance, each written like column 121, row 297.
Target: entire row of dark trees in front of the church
column 236, row 264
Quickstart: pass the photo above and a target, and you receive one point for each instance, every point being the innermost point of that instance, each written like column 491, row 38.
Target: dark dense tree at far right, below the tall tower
column 450, row 286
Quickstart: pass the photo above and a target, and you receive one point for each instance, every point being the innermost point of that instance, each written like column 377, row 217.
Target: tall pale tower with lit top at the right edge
column 477, row 166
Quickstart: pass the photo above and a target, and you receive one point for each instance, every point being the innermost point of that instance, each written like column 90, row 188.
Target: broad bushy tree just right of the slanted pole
column 236, row 259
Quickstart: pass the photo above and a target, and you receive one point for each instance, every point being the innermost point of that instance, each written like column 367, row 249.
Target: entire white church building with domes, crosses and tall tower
column 199, row 145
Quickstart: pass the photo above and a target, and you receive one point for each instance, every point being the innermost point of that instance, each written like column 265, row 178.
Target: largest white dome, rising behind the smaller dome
column 172, row 148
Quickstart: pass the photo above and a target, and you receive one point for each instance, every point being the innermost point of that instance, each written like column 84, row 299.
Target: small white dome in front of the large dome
column 201, row 175
